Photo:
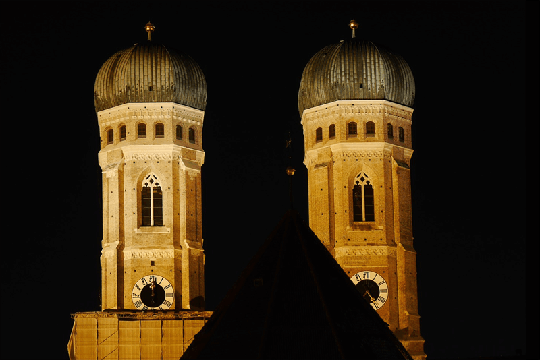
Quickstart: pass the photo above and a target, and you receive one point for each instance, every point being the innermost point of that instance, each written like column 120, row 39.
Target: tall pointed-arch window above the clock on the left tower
column 151, row 201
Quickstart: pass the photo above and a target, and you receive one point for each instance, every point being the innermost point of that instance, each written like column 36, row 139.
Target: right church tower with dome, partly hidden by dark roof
column 355, row 100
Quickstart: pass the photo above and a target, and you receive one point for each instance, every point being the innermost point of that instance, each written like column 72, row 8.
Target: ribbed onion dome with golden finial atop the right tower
column 355, row 70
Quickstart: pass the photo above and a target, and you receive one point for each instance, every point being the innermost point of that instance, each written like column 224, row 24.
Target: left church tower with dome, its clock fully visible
column 150, row 103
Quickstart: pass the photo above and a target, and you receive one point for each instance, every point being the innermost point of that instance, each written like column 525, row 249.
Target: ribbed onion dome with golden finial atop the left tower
column 149, row 72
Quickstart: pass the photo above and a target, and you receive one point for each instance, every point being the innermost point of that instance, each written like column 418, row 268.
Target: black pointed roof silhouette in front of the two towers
column 294, row 301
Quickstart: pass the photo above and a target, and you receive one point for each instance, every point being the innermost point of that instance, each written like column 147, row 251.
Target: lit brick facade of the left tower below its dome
column 173, row 247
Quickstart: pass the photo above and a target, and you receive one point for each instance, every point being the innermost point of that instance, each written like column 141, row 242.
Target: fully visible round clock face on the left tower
column 152, row 292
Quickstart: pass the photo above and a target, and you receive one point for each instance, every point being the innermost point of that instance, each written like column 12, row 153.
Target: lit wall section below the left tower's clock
column 134, row 335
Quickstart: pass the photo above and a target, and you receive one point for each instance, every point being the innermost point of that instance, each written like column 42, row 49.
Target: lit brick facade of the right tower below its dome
column 383, row 245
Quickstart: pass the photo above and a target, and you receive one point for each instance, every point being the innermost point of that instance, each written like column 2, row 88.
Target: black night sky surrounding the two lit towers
column 468, row 169
